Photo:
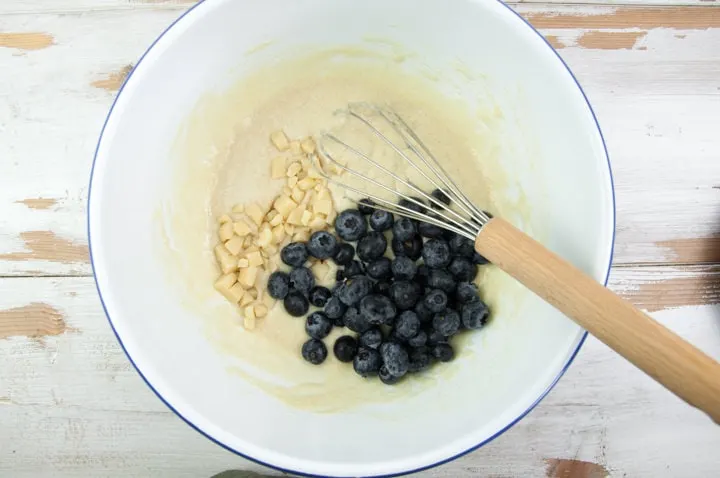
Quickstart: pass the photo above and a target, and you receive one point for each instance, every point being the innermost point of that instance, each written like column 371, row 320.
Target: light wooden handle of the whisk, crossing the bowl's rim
column 679, row 366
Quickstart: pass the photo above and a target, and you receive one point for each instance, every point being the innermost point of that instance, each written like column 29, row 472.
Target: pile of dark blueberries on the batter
column 403, row 311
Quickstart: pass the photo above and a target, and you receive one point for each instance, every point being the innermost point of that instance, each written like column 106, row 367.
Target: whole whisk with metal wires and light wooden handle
column 673, row 362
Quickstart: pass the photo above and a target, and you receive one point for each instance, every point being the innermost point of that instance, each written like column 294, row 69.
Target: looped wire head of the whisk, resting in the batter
column 393, row 191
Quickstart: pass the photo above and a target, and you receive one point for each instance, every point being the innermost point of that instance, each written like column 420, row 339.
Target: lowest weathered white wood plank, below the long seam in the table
column 71, row 404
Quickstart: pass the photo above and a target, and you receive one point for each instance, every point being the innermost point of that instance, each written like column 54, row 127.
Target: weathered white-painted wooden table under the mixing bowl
column 71, row 403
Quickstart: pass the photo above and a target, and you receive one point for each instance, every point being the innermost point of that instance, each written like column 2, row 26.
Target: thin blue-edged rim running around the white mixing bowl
column 416, row 470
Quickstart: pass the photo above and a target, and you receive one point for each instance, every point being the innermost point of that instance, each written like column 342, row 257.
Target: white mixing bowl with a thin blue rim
column 560, row 164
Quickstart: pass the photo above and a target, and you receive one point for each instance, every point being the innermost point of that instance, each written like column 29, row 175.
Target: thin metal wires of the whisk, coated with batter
column 466, row 222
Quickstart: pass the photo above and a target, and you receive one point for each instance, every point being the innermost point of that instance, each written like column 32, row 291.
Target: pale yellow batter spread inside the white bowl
column 223, row 156
